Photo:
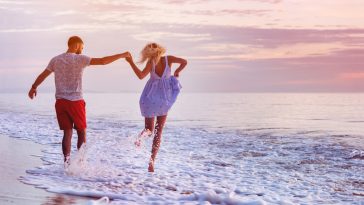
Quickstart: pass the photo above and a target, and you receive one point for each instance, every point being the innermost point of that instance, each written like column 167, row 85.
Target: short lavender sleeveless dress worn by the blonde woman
column 159, row 93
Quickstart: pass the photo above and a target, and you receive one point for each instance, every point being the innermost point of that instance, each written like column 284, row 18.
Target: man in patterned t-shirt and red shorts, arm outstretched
column 70, row 107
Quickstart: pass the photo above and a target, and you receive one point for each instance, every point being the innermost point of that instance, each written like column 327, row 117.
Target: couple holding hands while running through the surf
column 157, row 98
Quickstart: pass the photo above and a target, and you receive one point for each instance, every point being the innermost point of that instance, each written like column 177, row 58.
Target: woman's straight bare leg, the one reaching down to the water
column 161, row 120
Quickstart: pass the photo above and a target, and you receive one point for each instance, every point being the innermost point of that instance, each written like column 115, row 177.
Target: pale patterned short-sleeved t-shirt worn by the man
column 68, row 69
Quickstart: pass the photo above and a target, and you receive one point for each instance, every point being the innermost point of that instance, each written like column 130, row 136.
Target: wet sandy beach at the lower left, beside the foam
column 16, row 157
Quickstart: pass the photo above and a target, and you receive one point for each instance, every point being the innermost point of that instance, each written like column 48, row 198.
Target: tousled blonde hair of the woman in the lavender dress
column 152, row 52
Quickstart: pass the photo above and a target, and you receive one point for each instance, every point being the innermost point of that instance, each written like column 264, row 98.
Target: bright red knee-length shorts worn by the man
column 71, row 114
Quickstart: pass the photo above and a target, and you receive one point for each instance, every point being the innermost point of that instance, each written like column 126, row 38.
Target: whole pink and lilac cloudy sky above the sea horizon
column 230, row 45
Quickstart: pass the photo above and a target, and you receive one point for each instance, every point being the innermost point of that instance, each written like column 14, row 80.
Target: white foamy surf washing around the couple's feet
column 196, row 165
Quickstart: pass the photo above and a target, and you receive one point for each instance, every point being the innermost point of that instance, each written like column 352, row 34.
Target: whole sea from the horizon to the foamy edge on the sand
column 216, row 148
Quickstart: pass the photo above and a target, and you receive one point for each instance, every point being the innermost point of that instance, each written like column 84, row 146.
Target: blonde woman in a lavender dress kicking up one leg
column 159, row 93
